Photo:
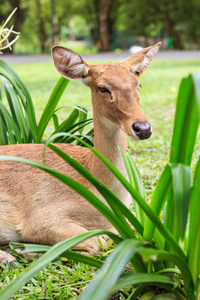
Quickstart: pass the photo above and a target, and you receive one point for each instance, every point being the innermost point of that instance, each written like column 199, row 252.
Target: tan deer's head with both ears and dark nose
column 114, row 87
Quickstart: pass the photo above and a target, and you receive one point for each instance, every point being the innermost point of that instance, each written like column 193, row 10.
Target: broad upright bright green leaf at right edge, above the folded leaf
column 186, row 120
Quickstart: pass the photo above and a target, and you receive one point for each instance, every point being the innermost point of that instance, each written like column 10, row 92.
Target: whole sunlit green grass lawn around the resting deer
column 160, row 83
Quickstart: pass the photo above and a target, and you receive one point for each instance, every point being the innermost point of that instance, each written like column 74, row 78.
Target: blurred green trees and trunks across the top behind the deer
column 91, row 26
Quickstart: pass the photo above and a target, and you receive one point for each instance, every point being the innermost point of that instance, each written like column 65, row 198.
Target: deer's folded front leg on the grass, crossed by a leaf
column 57, row 233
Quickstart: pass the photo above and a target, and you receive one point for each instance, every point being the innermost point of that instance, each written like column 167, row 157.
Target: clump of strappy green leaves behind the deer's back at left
column 17, row 114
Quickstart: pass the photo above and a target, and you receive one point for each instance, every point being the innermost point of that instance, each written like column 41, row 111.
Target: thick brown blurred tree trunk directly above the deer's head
column 105, row 25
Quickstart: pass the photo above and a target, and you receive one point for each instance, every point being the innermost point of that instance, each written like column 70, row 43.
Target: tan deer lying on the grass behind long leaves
column 37, row 208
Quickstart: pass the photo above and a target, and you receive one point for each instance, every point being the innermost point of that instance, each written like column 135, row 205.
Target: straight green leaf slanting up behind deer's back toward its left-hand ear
column 51, row 105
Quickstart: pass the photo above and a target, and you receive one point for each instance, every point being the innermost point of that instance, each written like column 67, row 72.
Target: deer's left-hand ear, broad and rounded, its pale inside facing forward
column 69, row 63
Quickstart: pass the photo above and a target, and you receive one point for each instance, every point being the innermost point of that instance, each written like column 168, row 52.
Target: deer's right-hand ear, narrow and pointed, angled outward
column 139, row 61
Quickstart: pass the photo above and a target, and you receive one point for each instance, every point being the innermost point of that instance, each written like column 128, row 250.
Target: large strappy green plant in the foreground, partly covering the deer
column 164, row 249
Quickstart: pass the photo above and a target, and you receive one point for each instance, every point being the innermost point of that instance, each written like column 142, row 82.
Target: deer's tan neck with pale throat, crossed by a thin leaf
column 107, row 139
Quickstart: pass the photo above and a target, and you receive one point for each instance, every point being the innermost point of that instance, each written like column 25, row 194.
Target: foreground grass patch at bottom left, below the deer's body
column 59, row 280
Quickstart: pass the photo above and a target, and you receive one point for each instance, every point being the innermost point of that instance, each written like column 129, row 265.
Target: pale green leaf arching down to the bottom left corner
column 53, row 253
